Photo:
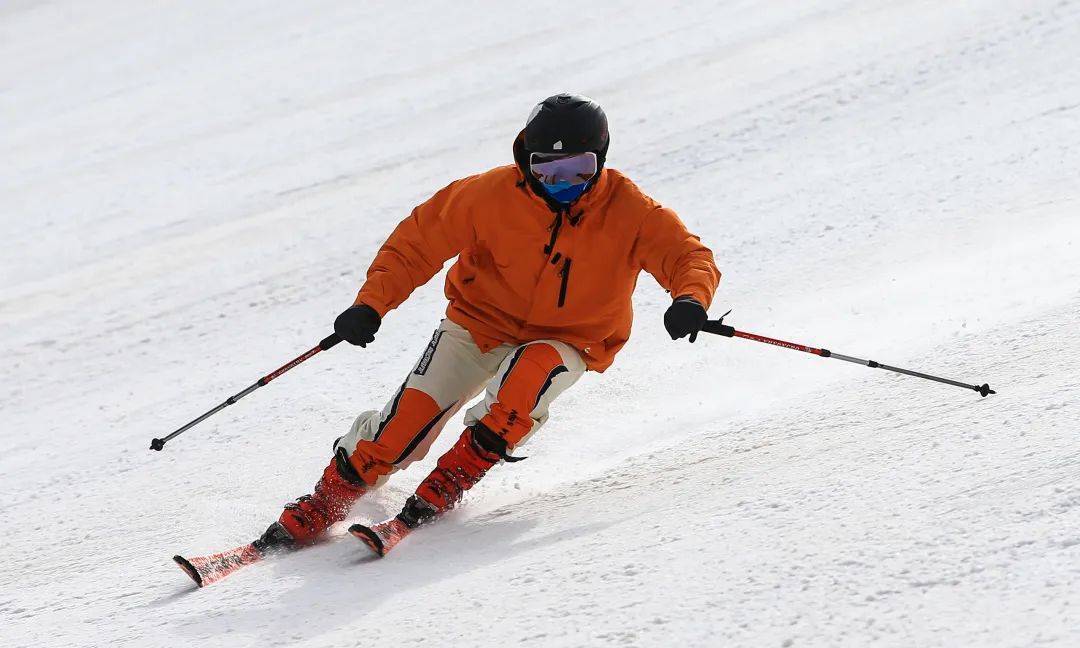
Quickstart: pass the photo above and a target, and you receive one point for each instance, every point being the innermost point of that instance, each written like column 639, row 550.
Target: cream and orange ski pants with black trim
column 520, row 384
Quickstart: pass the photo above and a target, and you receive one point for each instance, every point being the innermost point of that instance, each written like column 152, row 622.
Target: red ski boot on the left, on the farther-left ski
column 334, row 495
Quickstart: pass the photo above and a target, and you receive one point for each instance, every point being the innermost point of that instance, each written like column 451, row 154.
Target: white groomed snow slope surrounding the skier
column 191, row 193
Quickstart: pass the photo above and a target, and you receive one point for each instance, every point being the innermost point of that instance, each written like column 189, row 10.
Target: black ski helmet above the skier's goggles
column 568, row 124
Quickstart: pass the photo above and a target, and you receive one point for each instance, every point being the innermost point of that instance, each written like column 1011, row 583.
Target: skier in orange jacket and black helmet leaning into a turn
column 549, row 251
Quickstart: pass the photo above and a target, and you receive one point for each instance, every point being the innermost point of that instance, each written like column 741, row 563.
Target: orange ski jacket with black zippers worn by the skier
column 530, row 269
